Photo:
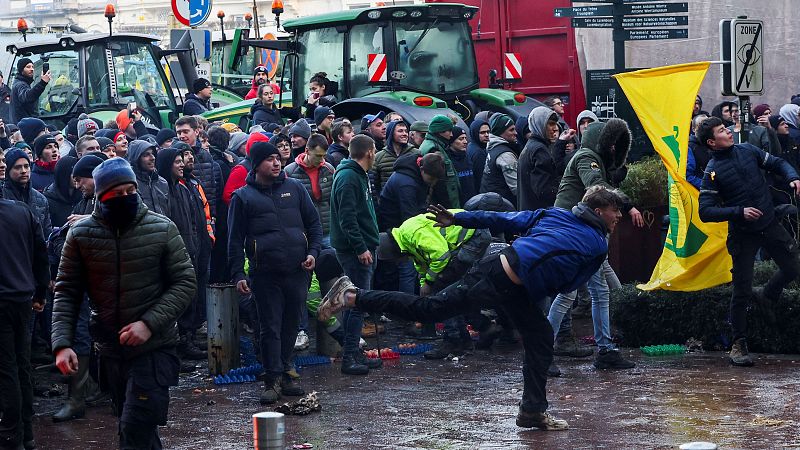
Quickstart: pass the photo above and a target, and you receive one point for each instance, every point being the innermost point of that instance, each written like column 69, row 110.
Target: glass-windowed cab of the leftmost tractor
column 100, row 74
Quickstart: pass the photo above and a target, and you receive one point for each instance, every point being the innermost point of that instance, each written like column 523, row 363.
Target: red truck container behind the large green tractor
column 544, row 44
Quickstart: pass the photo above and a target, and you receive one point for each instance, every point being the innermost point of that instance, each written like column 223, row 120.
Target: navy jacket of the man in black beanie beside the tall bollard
column 278, row 224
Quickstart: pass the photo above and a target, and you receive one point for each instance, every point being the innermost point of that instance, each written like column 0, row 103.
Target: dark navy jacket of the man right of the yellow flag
column 733, row 180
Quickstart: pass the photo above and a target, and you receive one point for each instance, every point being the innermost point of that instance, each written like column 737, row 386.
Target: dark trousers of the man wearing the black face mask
column 140, row 393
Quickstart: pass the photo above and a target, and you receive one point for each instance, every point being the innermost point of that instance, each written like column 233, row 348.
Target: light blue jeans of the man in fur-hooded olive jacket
column 598, row 289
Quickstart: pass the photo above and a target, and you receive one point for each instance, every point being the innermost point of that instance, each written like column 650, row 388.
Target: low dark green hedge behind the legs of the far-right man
column 667, row 317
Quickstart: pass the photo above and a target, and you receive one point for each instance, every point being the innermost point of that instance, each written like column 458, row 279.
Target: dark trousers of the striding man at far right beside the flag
column 743, row 248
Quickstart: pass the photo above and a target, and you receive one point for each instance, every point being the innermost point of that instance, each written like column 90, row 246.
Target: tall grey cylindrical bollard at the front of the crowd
column 222, row 311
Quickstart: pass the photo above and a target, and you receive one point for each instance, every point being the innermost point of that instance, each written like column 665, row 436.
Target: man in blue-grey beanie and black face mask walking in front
column 134, row 267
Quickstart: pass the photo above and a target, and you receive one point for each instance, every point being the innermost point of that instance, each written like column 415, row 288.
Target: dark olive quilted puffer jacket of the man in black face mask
column 143, row 273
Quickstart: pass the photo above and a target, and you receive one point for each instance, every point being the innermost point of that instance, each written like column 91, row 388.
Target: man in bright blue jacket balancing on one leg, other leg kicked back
column 557, row 251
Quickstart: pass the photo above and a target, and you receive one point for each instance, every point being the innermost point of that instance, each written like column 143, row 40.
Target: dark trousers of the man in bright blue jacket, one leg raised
column 484, row 285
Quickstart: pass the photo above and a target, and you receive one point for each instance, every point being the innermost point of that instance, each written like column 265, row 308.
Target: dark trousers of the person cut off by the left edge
column 16, row 391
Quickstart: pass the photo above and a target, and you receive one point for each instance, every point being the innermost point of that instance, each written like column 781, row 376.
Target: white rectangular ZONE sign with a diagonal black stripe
column 747, row 56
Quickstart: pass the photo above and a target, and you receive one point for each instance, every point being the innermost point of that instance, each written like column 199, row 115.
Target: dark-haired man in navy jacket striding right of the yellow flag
column 734, row 190
